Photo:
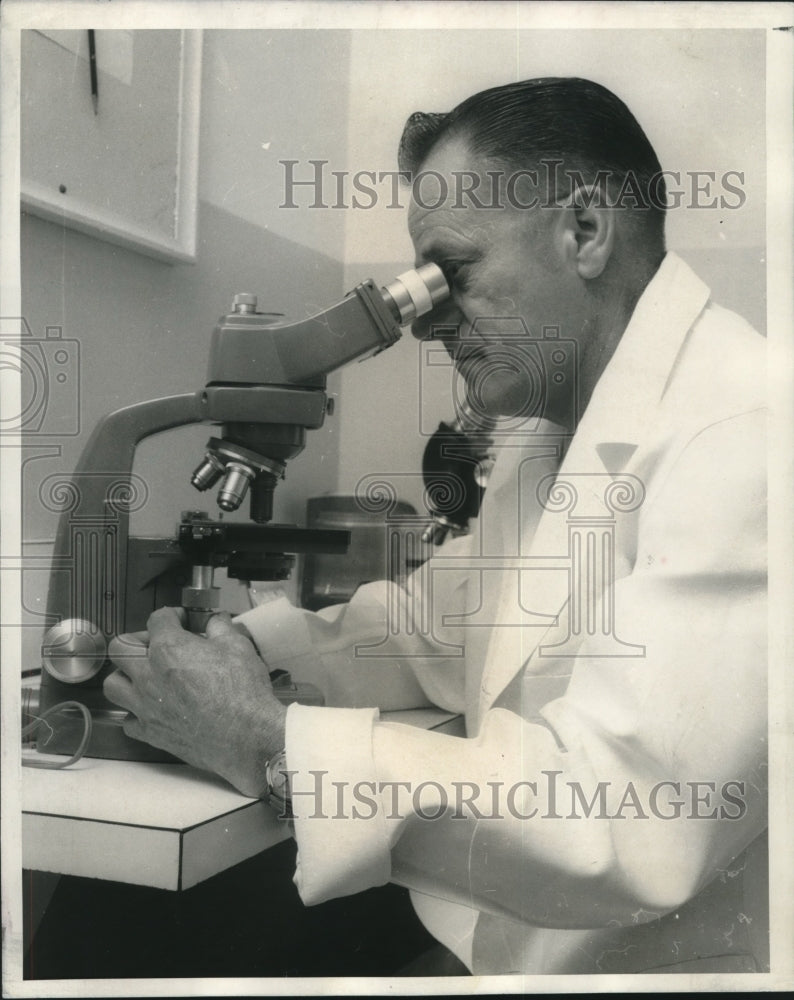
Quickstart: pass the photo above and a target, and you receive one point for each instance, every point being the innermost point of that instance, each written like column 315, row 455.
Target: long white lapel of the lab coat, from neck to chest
column 623, row 407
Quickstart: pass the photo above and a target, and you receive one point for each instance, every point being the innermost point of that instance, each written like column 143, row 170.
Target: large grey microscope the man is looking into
column 265, row 389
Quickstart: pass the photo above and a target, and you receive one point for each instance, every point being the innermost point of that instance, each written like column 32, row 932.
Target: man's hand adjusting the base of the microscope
column 207, row 700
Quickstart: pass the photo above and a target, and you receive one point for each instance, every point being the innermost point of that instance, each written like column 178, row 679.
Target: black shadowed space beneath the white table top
column 247, row 921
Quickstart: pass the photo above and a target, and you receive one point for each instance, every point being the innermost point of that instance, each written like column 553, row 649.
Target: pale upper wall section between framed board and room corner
column 271, row 96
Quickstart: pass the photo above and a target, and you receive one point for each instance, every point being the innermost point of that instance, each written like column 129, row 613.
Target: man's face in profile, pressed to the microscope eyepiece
column 503, row 265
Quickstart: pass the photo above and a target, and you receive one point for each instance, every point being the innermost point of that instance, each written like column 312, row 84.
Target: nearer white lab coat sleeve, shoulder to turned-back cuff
column 648, row 775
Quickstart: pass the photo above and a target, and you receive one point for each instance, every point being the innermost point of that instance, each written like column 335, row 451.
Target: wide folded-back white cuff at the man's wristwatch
column 343, row 845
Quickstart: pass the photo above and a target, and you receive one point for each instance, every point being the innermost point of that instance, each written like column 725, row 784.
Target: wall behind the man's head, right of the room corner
column 700, row 96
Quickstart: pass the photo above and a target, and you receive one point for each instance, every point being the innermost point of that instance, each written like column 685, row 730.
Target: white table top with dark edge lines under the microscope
column 163, row 825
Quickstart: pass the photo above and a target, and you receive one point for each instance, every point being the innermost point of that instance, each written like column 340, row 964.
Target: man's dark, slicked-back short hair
column 523, row 125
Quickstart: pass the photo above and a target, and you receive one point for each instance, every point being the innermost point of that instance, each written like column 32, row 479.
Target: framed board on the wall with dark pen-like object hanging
column 111, row 133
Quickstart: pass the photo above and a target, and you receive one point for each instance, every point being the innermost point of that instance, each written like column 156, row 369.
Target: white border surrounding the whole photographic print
column 478, row 16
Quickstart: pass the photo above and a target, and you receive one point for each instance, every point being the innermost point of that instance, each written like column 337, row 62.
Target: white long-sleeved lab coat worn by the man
column 663, row 683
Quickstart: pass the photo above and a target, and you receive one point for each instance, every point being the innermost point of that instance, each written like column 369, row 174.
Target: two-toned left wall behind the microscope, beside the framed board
column 142, row 327
